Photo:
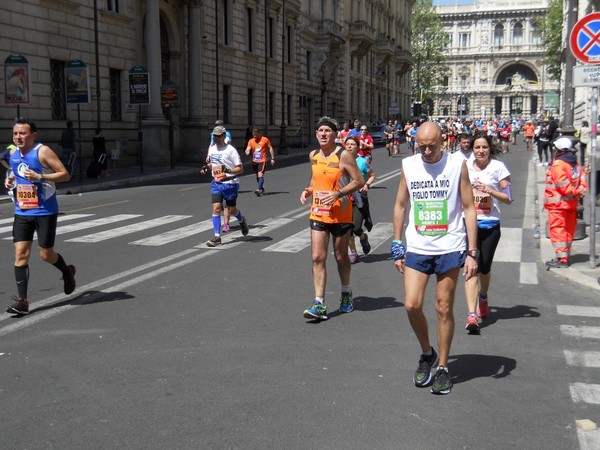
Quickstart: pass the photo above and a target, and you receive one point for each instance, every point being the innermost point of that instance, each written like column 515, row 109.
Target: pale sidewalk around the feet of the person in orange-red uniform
column 580, row 270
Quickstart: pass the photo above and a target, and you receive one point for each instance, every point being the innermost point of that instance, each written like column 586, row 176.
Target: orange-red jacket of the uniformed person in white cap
column 564, row 185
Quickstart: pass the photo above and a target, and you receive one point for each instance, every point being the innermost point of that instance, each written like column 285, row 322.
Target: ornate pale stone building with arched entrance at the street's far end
column 494, row 59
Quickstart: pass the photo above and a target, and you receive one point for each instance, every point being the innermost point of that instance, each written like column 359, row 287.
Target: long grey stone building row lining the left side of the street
column 279, row 64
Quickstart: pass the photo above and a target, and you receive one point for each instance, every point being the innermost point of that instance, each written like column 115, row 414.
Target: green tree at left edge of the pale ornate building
column 428, row 42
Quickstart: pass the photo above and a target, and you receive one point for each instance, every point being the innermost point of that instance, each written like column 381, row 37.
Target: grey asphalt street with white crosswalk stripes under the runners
column 169, row 344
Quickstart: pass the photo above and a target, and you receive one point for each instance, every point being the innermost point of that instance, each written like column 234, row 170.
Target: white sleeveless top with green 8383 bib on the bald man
column 435, row 224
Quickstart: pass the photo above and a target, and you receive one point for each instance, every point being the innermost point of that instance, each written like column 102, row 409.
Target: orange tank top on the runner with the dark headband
column 326, row 177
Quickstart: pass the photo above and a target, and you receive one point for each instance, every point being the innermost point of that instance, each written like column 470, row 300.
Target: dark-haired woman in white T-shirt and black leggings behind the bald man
column 491, row 186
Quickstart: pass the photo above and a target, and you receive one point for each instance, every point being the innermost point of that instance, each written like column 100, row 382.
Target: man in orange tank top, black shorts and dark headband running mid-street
column 334, row 178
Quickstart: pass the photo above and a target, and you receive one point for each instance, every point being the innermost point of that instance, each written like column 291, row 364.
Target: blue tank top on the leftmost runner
column 32, row 198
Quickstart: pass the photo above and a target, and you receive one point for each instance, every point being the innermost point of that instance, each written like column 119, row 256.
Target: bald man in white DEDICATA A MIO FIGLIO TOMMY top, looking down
column 436, row 244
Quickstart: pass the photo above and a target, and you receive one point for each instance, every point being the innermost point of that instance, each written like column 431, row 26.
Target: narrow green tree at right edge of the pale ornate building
column 551, row 27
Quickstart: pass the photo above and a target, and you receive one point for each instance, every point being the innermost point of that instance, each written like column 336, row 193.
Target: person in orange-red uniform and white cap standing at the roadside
column 565, row 185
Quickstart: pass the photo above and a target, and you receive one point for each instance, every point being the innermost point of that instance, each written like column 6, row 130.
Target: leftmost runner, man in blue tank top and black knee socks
column 35, row 170
